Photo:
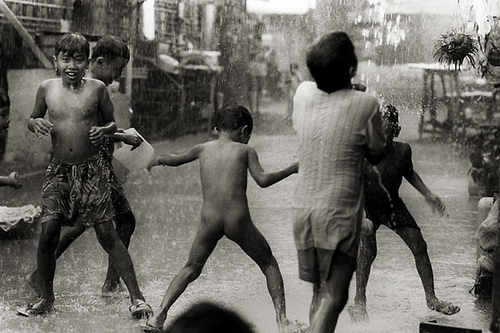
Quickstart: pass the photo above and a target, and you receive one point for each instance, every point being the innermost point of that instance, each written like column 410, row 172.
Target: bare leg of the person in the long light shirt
column 330, row 297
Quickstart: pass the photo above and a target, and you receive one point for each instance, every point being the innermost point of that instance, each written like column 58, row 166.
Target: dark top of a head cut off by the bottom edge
column 207, row 317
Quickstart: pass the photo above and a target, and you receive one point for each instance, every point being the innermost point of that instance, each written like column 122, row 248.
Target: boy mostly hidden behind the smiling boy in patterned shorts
column 109, row 57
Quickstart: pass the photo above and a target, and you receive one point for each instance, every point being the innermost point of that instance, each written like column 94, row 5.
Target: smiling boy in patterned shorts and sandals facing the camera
column 77, row 181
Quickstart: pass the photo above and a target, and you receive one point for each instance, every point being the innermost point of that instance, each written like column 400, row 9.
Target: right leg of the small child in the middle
column 253, row 243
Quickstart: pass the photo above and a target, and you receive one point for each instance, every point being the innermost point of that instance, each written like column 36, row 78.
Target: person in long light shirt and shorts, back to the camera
column 337, row 127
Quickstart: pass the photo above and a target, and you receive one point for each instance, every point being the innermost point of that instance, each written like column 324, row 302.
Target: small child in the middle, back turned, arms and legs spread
column 224, row 164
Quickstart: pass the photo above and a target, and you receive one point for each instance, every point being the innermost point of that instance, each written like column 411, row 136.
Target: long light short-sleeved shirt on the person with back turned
column 335, row 130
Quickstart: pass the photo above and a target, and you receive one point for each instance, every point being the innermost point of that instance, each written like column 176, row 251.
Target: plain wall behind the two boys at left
column 22, row 145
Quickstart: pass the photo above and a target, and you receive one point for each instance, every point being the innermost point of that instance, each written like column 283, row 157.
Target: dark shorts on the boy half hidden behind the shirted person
column 399, row 218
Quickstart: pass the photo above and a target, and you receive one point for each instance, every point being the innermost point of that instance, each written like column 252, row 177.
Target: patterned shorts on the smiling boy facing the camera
column 80, row 189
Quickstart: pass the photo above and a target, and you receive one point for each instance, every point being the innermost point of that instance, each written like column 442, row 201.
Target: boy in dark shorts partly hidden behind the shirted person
column 383, row 205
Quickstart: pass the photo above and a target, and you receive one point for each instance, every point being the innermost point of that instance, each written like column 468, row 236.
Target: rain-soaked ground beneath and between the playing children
column 167, row 203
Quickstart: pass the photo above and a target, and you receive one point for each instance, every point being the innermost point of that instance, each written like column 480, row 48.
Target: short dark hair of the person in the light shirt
column 329, row 60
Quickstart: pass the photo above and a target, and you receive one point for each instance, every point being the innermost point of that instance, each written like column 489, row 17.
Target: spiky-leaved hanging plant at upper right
column 454, row 47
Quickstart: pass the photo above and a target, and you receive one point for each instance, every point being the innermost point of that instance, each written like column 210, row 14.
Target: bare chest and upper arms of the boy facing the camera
column 73, row 112
